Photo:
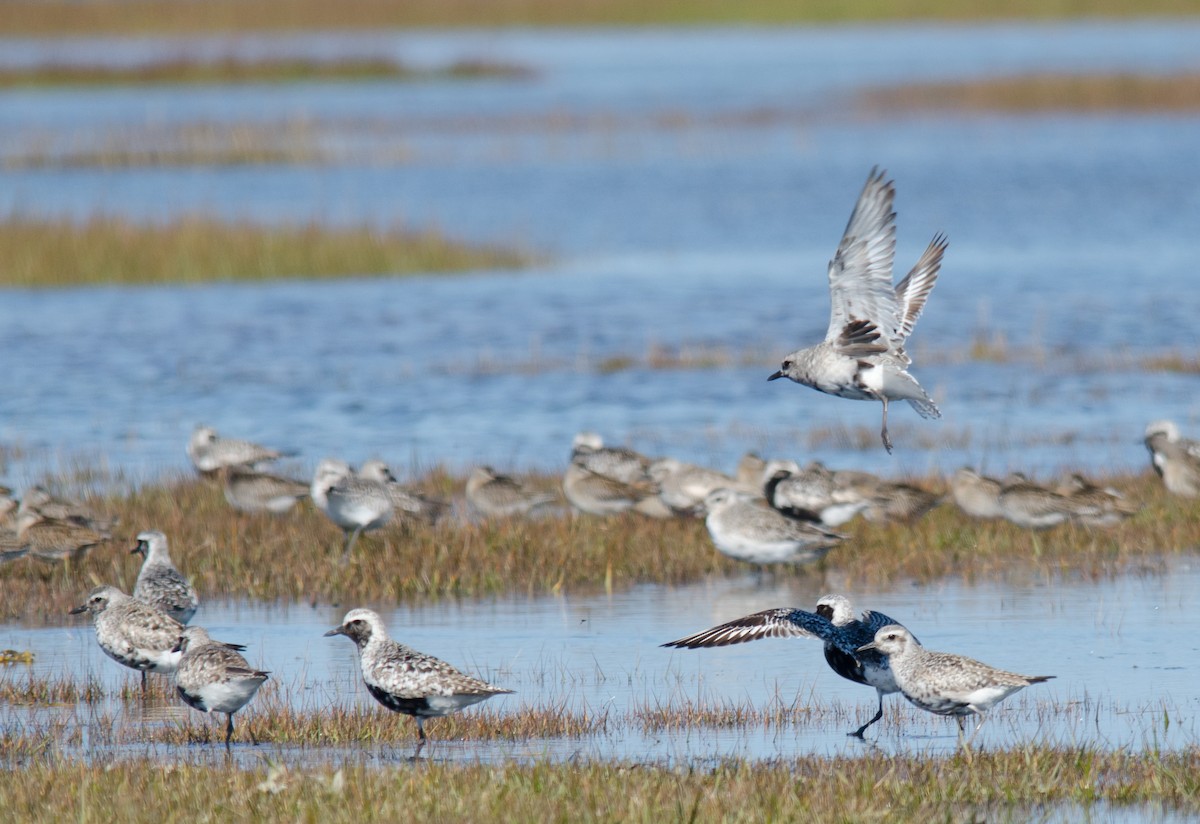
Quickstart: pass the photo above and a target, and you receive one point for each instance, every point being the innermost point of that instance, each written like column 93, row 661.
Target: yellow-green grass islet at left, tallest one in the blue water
column 194, row 250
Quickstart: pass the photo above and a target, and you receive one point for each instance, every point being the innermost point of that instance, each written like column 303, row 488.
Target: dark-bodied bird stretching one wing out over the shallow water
column 833, row 623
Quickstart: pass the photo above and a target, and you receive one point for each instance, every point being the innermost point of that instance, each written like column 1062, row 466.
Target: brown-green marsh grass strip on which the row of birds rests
column 295, row 558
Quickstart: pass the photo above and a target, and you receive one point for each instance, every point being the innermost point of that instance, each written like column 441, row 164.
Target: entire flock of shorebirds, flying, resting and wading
column 767, row 513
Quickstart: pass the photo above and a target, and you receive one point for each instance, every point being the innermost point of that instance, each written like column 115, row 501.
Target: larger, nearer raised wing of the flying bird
column 861, row 272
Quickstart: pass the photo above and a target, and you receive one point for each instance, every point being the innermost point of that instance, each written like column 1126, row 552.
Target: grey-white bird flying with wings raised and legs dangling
column 862, row 357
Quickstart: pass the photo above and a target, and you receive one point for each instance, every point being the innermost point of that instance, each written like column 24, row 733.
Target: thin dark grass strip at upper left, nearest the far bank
column 231, row 70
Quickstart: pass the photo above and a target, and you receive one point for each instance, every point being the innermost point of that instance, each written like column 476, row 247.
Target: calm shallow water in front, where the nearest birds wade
column 1121, row 651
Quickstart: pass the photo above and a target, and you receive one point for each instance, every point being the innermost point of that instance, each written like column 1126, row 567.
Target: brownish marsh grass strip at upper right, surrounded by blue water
column 1047, row 93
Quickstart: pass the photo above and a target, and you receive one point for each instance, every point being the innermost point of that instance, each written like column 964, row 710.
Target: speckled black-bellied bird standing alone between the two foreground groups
column 409, row 682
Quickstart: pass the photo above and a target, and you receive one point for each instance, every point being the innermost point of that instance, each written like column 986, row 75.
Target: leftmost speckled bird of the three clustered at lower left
column 134, row 634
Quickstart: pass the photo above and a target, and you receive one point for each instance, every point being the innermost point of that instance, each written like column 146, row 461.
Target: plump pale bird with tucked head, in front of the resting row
column 745, row 528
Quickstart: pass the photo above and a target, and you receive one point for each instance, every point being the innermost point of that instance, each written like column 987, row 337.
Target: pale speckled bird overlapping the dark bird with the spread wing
column 944, row 683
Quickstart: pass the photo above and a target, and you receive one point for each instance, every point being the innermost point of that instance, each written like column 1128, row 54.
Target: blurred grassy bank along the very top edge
column 61, row 17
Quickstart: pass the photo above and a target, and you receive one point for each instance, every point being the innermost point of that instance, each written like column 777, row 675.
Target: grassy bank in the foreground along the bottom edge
column 1004, row 786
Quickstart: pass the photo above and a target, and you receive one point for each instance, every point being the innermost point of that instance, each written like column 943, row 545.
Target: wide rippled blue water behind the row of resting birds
column 693, row 203
